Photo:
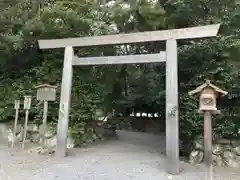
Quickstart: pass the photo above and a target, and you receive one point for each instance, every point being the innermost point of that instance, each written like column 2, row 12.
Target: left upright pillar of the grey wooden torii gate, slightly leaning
column 64, row 108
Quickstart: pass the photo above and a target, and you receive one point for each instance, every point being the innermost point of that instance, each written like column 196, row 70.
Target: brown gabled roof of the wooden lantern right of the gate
column 208, row 84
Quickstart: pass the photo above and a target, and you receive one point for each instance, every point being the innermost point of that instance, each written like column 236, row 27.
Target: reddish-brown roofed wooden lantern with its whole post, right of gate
column 208, row 94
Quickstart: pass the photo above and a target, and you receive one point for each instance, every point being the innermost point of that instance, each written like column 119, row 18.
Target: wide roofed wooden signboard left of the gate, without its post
column 46, row 92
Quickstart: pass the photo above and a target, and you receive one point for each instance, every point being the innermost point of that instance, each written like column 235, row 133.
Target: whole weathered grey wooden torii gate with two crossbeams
column 170, row 56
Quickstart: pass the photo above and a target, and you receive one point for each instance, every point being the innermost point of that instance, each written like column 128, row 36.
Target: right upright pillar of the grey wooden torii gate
column 172, row 122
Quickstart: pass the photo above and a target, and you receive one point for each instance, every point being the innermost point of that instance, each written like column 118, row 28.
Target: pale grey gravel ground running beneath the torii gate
column 136, row 156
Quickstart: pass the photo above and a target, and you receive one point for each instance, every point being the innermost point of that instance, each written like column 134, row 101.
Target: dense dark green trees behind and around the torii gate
column 119, row 87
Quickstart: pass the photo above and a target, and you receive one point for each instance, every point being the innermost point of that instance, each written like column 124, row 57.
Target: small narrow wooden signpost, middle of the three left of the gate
column 26, row 107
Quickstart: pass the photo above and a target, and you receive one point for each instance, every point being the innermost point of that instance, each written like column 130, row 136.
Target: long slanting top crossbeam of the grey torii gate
column 184, row 33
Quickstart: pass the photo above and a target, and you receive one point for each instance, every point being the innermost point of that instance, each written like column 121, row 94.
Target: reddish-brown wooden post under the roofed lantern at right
column 208, row 144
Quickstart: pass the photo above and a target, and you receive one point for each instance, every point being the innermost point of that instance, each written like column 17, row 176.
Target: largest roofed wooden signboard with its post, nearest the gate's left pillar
column 45, row 93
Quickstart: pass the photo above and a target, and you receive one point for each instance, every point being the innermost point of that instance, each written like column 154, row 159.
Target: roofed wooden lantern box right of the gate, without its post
column 208, row 93
